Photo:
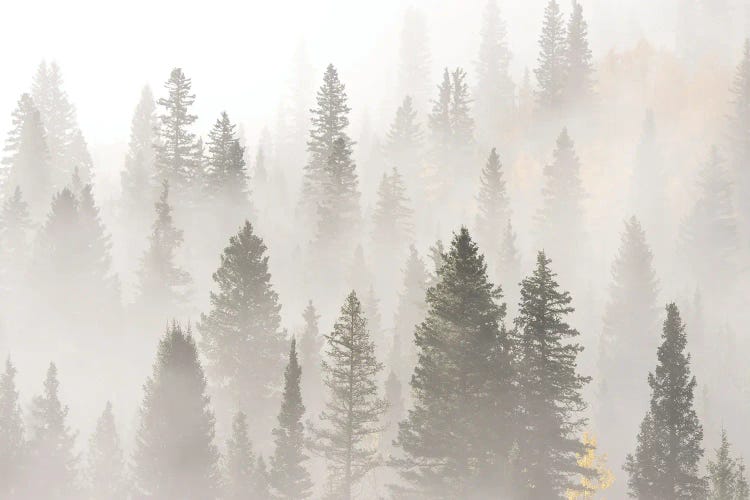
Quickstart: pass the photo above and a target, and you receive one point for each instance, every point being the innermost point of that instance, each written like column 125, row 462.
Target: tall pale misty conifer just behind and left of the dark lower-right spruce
column 630, row 329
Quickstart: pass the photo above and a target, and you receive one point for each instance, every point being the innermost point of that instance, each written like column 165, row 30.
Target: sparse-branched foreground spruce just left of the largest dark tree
column 353, row 407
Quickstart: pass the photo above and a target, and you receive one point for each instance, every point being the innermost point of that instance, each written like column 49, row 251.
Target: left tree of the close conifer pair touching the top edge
column 550, row 72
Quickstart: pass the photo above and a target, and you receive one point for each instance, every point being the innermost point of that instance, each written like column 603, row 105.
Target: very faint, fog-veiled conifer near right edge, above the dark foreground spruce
column 709, row 234
